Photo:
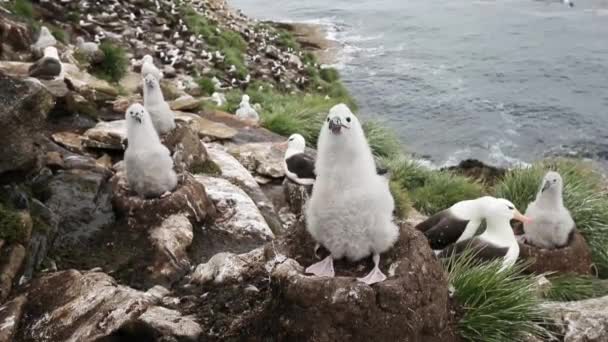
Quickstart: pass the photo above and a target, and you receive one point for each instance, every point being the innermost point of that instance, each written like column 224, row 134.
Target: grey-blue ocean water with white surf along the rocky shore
column 505, row 81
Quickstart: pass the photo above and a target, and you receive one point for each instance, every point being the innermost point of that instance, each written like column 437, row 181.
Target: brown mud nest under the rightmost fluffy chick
column 574, row 258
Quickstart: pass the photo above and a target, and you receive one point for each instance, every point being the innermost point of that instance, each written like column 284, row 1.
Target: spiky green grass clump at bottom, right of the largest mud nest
column 499, row 306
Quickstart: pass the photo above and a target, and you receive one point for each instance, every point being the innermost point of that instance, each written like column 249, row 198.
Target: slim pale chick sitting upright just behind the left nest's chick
column 163, row 117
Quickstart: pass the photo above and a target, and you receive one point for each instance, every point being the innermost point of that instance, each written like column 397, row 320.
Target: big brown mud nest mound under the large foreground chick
column 411, row 305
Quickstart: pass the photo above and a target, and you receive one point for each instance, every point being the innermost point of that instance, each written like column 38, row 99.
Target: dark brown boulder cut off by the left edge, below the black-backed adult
column 23, row 112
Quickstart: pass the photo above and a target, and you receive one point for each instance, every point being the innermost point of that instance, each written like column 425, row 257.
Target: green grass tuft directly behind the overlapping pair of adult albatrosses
column 443, row 189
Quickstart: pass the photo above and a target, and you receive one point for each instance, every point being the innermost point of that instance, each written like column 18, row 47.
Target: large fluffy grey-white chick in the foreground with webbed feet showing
column 350, row 210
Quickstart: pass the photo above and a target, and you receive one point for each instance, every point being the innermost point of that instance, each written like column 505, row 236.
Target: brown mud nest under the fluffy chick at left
column 189, row 198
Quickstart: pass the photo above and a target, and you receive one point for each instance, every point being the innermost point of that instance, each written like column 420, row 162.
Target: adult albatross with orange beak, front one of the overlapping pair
column 498, row 240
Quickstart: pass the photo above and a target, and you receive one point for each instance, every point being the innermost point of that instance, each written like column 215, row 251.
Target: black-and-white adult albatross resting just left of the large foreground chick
column 298, row 166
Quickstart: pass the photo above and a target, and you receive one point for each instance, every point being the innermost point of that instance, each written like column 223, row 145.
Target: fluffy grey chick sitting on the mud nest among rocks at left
column 148, row 162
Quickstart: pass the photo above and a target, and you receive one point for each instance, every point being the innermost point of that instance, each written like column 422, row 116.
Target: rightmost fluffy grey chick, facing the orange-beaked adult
column 552, row 223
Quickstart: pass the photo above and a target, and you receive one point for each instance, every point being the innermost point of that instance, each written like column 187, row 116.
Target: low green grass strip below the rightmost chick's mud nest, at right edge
column 571, row 287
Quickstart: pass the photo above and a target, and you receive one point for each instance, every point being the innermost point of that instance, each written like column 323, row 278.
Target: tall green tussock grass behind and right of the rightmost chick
column 583, row 196
